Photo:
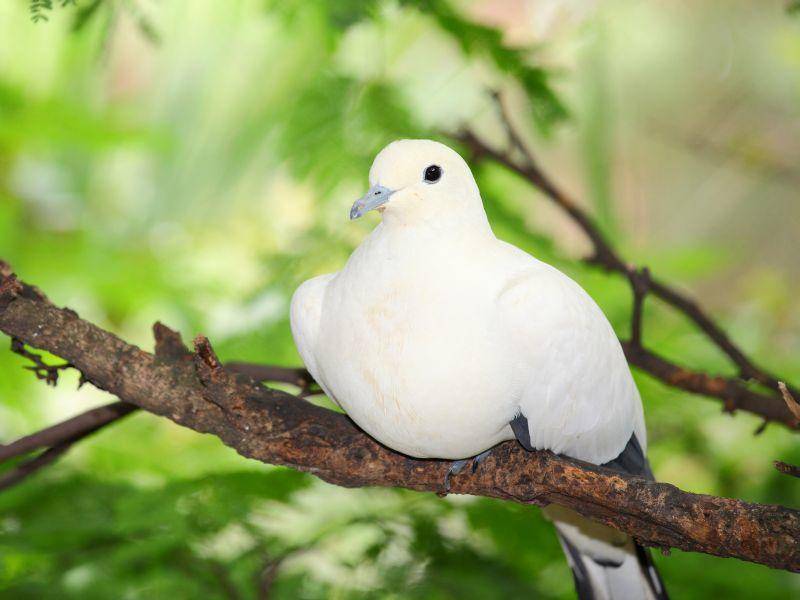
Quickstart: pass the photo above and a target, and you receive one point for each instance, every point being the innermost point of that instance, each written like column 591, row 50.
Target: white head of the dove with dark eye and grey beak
column 418, row 181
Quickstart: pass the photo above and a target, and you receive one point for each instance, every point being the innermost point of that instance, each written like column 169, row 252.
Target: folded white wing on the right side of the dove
column 577, row 392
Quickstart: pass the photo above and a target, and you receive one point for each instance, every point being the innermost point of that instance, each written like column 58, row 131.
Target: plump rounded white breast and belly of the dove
column 412, row 363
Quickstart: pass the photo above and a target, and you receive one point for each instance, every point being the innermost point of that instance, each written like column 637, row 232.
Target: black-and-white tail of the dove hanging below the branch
column 610, row 566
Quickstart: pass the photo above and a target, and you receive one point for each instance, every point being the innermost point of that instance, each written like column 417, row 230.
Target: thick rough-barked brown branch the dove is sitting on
column 196, row 391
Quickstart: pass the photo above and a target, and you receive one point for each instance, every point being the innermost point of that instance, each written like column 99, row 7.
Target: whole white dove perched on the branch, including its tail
column 441, row 341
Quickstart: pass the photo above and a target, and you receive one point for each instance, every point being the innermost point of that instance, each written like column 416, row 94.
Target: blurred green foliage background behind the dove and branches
column 194, row 161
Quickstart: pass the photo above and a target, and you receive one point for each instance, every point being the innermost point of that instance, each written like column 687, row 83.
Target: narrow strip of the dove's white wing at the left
column 304, row 317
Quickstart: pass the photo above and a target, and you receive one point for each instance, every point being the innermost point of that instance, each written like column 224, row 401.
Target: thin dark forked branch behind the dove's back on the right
column 736, row 395
